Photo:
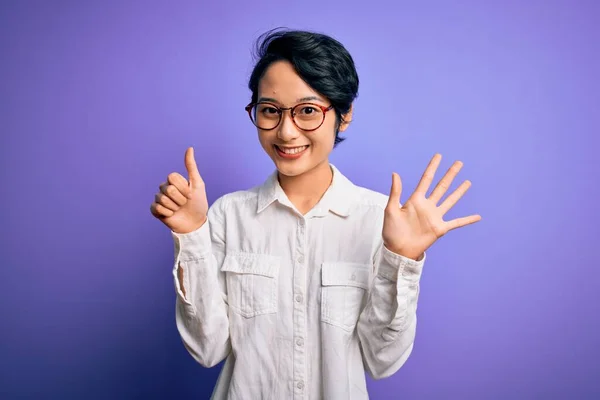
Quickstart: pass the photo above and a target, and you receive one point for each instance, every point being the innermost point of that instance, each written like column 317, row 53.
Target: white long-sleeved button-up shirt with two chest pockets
column 300, row 305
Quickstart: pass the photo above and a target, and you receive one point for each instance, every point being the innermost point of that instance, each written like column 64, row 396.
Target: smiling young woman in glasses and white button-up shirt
column 307, row 281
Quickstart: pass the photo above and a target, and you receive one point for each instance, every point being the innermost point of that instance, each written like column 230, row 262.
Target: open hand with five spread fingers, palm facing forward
column 411, row 229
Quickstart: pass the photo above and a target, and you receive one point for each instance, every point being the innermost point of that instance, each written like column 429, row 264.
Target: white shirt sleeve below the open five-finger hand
column 387, row 325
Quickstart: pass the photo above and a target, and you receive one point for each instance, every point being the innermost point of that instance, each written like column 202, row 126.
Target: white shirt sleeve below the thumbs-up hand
column 202, row 313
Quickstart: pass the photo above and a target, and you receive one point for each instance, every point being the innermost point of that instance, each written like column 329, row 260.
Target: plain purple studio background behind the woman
column 99, row 101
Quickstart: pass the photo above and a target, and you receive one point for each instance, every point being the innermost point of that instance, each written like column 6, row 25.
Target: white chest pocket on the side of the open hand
column 343, row 292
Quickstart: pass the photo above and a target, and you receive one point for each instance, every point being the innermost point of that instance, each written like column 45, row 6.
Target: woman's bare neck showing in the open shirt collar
column 305, row 190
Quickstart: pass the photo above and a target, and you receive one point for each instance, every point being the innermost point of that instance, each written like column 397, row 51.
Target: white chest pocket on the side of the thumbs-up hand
column 251, row 283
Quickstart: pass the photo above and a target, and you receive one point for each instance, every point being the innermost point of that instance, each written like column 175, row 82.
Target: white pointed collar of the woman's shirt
column 338, row 198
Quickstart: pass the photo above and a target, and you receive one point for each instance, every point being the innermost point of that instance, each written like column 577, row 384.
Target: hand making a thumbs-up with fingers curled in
column 181, row 204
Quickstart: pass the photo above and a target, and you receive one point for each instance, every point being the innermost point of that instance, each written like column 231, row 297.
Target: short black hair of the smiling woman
column 320, row 60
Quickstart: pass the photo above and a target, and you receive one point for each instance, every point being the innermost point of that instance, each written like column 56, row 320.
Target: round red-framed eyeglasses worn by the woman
column 306, row 116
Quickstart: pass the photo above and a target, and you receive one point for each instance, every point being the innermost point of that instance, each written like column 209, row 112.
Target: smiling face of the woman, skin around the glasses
column 293, row 150
